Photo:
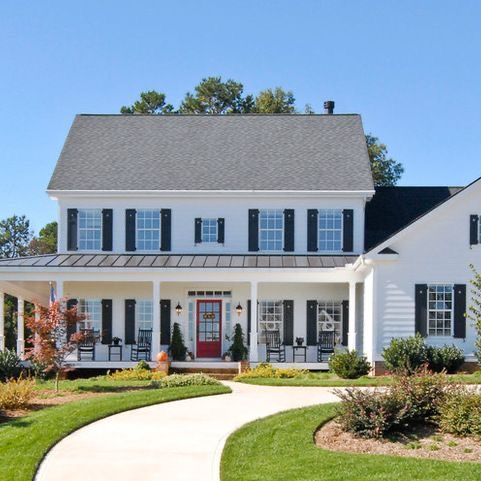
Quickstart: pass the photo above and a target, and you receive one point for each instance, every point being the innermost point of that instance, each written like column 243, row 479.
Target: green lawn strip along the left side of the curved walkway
column 24, row 441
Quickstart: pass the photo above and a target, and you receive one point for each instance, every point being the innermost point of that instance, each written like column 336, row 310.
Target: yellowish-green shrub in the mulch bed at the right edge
column 460, row 414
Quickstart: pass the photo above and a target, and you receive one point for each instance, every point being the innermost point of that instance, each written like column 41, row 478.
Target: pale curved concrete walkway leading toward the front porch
column 180, row 440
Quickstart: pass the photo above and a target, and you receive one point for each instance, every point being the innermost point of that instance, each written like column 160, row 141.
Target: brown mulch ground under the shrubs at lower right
column 422, row 442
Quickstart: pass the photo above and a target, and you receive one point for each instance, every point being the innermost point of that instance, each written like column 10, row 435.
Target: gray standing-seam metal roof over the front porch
column 153, row 261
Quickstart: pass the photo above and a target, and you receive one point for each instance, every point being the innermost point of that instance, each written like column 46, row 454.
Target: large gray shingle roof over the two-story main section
column 197, row 152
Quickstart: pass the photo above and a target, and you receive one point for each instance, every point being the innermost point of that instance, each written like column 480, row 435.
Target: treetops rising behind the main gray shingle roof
column 218, row 97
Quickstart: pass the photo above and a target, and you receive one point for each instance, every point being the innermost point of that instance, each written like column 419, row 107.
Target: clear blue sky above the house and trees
column 411, row 68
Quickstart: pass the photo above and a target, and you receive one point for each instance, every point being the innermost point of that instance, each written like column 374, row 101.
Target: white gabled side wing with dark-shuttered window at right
column 419, row 278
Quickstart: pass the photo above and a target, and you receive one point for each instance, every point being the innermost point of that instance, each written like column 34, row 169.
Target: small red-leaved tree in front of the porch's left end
column 49, row 341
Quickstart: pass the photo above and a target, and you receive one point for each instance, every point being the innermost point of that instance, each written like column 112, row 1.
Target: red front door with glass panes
column 209, row 326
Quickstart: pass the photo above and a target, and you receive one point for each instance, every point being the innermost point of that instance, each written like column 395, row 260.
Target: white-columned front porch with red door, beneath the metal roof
column 207, row 303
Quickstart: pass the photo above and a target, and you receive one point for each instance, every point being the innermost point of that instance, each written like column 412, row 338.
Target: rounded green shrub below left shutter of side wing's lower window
column 406, row 355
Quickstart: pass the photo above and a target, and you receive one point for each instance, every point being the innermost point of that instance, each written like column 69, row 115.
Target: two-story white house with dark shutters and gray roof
column 270, row 221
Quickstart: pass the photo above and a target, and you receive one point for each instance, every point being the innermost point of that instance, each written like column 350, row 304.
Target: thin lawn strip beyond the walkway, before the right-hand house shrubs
column 327, row 379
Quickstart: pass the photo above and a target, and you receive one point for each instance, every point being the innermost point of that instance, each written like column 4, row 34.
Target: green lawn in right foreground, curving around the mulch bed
column 281, row 447
